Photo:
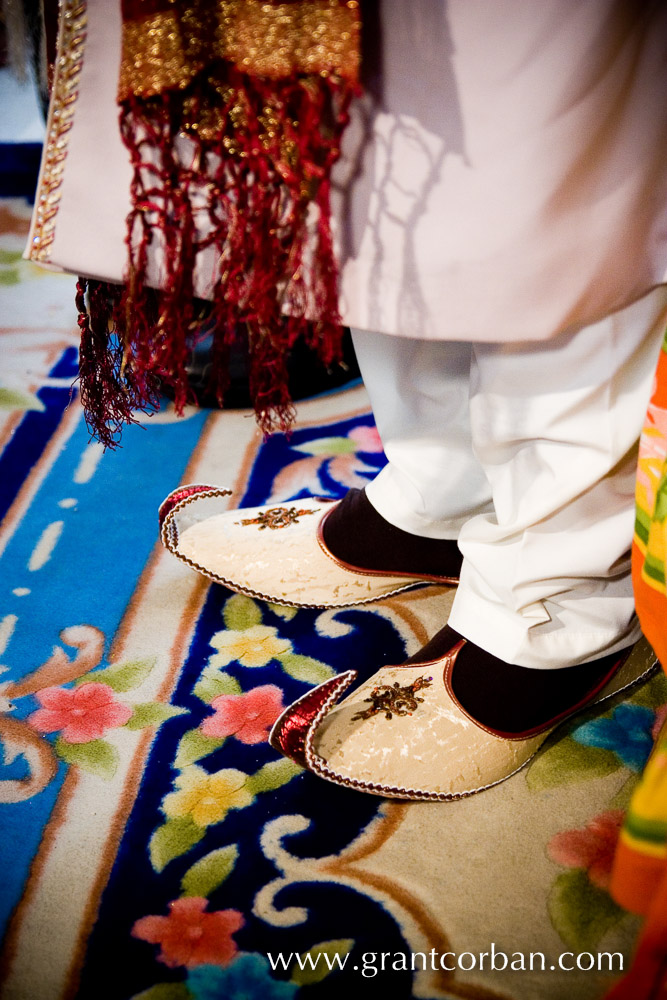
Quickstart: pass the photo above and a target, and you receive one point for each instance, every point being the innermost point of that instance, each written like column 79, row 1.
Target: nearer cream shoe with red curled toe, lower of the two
column 403, row 734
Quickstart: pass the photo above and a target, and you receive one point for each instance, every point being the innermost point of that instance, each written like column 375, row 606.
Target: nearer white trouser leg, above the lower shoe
column 546, row 577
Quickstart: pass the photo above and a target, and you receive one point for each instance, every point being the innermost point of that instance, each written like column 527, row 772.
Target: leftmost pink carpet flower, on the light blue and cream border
column 80, row 714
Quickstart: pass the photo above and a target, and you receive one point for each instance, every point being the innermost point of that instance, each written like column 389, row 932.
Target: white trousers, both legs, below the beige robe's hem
column 526, row 453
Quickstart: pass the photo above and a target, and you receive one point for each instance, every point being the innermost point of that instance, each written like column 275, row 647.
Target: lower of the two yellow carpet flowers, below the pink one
column 207, row 798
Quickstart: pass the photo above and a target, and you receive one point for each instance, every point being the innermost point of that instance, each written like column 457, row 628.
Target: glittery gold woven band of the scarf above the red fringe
column 165, row 49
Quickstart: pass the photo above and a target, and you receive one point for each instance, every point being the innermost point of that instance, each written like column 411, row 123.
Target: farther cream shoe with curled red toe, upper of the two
column 275, row 553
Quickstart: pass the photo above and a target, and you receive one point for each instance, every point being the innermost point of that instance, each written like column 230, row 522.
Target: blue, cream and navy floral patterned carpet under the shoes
column 153, row 845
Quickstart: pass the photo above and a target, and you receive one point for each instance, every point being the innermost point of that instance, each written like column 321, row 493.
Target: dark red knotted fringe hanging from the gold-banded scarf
column 255, row 187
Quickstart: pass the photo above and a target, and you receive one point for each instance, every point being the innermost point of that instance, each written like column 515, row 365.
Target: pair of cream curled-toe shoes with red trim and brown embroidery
column 405, row 733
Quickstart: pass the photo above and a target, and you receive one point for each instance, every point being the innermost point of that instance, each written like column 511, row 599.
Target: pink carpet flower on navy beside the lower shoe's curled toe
column 247, row 716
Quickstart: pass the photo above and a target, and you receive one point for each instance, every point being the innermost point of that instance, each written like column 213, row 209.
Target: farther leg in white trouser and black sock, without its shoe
column 408, row 518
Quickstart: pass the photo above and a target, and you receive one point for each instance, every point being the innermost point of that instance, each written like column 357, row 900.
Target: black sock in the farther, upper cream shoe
column 355, row 533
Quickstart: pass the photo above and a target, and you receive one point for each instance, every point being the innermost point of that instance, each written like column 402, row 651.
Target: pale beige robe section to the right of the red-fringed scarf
column 505, row 176
